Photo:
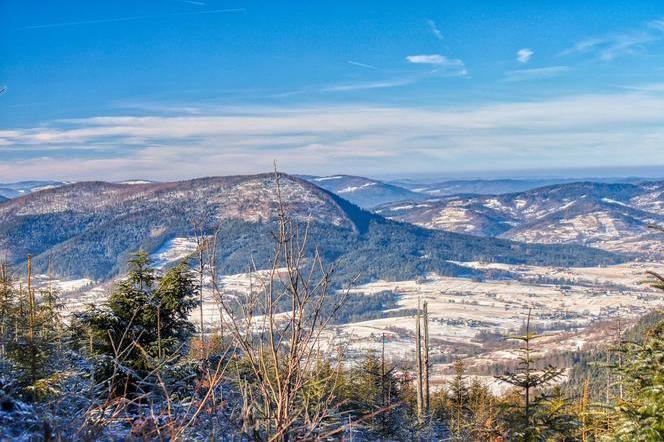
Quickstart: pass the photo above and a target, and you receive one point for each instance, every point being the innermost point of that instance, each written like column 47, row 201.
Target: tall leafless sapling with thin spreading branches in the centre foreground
column 278, row 328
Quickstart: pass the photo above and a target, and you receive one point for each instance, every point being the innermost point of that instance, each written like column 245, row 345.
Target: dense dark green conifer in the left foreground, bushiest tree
column 143, row 325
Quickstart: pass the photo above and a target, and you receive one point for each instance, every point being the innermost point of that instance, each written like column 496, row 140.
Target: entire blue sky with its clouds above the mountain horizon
column 180, row 88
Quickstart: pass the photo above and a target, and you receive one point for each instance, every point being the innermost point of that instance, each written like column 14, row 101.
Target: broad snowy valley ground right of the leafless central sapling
column 460, row 309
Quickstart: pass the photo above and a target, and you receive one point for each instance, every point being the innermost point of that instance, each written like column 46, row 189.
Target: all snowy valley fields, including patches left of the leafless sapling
column 460, row 309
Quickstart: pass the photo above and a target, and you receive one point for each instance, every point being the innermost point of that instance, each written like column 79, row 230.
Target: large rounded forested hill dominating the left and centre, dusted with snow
column 88, row 229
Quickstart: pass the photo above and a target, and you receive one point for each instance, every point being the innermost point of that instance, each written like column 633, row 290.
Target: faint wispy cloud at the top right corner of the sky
column 611, row 46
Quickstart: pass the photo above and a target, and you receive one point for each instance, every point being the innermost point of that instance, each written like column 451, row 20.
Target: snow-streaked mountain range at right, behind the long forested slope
column 611, row 216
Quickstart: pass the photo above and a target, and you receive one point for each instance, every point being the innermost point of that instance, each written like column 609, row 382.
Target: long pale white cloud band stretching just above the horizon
column 588, row 130
